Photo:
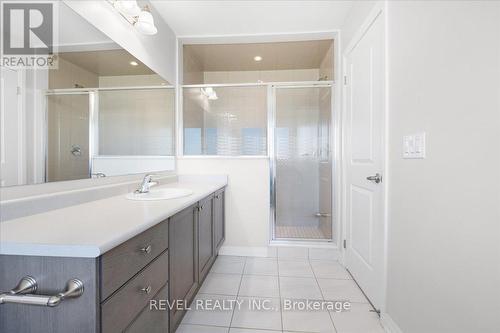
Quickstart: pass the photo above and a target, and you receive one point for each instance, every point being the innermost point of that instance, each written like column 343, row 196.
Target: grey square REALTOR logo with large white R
column 28, row 34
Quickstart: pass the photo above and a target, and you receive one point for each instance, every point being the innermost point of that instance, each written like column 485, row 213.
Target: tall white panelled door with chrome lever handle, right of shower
column 364, row 154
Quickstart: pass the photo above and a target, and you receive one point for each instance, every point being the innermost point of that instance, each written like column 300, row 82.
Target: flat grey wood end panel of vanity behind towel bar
column 80, row 315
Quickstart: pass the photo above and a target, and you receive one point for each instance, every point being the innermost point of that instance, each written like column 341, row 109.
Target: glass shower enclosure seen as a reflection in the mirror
column 83, row 125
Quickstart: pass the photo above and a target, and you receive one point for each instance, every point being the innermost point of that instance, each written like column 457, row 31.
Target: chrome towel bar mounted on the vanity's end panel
column 23, row 293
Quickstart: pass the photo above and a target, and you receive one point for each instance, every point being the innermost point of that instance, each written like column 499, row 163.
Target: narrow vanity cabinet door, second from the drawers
column 206, row 249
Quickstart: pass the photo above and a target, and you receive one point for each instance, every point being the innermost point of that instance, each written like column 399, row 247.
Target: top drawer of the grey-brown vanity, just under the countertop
column 124, row 261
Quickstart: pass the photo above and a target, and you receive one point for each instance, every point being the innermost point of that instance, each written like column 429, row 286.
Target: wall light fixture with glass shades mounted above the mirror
column 140, row 18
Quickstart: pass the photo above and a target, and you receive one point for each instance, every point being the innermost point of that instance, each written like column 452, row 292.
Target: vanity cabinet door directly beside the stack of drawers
column 183, row 267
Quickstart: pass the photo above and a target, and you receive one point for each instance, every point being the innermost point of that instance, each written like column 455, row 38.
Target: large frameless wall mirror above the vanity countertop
column 100, row 113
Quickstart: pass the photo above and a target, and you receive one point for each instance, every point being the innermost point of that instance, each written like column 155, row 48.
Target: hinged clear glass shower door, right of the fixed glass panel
column 302, row 164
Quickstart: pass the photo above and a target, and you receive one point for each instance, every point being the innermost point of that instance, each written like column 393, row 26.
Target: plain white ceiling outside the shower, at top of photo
column 205, row 18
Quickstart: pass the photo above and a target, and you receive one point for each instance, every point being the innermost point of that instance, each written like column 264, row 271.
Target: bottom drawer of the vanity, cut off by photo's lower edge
column 153, row 320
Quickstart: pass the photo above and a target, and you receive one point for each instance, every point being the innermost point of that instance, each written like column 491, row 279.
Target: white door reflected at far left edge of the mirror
column 11, row 129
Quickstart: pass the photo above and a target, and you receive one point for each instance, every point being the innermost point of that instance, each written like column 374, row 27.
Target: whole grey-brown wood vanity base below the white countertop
column 165, row 262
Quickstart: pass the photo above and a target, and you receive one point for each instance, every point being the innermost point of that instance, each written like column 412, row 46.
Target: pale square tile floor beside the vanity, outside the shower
column 250, row 279
